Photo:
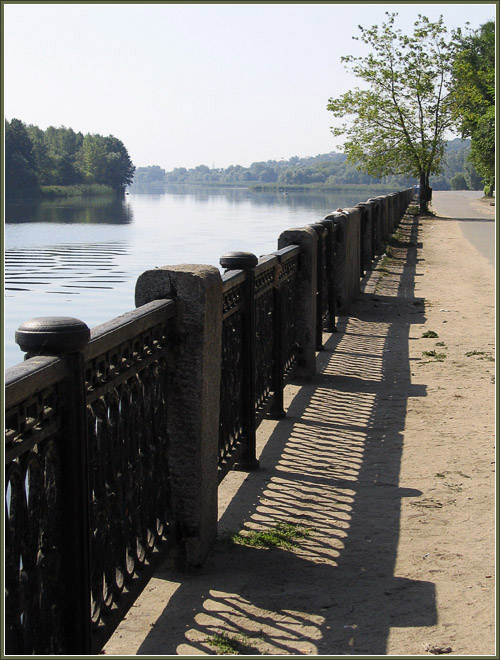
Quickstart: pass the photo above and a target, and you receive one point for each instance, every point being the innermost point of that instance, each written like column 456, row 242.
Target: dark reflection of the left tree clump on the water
column 71, row 210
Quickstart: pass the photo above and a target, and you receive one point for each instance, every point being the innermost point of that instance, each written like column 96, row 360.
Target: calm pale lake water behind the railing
column 81, row 258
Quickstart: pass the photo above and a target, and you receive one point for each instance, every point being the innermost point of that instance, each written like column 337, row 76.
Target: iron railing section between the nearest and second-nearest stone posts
column 259, row 349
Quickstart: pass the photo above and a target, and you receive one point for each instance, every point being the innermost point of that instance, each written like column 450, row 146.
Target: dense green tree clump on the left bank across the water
column 61, row 157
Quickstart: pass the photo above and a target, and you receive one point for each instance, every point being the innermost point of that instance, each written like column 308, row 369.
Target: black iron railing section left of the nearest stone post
column 87, row 490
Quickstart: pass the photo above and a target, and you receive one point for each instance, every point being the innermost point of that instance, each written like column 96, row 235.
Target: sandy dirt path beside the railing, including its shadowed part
column 388, row 459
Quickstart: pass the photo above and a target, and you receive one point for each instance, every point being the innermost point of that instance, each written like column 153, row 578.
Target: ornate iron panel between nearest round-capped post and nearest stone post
column 127, row 365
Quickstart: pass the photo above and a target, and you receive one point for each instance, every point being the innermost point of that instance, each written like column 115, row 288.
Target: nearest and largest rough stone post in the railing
column 193, row 398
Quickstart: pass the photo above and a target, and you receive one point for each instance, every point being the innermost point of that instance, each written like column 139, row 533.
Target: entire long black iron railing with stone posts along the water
column 116, row 440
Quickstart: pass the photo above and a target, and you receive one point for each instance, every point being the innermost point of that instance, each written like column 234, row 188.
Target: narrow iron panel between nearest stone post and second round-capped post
column 231, row 400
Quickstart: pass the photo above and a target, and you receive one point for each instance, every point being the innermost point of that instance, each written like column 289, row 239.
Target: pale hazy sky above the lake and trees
column 189, row 84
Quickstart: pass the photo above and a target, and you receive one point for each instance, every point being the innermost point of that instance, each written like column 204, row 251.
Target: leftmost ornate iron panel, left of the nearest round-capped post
column 34, row 523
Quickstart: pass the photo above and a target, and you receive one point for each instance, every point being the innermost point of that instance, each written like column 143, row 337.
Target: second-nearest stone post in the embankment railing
column 306, row 238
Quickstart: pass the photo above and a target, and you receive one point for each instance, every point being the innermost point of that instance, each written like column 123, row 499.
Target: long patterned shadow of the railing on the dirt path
column 332, row 466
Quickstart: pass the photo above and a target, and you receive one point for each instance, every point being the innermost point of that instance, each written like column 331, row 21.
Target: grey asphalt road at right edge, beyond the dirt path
column 477, row 218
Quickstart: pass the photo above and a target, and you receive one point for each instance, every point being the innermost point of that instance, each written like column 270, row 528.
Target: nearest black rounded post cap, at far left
column 52, row 335
